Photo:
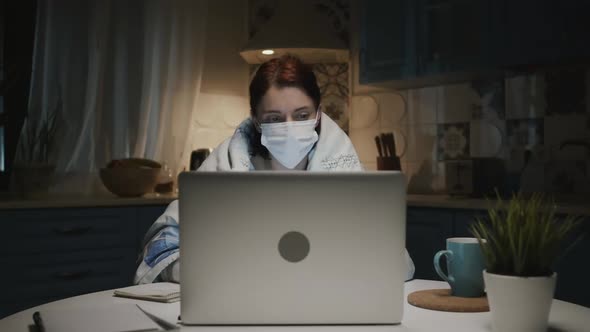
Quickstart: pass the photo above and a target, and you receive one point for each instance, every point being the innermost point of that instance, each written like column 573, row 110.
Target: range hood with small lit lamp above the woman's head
column 296, row 28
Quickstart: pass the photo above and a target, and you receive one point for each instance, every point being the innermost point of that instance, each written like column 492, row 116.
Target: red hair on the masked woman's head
column 286, row 71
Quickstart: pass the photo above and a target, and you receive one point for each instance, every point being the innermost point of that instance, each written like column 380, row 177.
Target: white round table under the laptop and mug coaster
column 564, row 316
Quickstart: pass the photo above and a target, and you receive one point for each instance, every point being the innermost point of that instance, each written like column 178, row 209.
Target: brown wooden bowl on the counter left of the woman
column 131, row 177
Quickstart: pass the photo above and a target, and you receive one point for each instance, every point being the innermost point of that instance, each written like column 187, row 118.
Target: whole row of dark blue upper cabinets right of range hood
column 408, row 44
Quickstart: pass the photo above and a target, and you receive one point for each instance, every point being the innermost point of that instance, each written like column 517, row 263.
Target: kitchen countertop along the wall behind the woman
column 576, row 206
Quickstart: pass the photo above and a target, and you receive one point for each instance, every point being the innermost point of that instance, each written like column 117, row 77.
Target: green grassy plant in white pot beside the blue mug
column 520, row 241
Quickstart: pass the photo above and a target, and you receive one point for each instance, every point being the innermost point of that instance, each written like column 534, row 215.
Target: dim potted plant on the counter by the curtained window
column 33, row 170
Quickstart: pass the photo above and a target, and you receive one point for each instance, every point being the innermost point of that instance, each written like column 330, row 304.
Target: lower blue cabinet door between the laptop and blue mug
column 426, row 233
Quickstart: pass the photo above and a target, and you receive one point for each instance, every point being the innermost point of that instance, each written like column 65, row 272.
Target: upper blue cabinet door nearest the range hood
column 388, row 47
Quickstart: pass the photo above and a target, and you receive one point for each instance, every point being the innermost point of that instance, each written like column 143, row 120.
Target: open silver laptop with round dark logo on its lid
column 275, row 248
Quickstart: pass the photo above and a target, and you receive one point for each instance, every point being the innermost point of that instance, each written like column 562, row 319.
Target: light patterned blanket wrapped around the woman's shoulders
column 333, row 152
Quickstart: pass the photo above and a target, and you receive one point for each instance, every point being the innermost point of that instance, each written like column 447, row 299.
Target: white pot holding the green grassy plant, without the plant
column 519, row 303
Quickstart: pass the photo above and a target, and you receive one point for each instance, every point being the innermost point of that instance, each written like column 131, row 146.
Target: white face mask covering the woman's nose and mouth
column 289, row 142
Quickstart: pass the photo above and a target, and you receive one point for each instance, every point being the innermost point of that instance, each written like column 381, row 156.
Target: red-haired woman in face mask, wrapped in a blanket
column 286, row 130
